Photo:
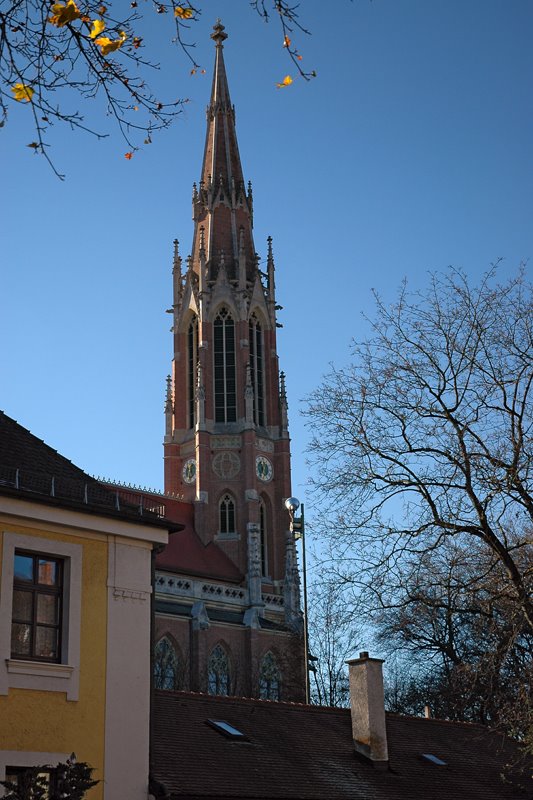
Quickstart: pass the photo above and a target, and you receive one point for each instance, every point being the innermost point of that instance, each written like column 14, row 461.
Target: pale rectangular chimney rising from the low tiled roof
column 367, row 704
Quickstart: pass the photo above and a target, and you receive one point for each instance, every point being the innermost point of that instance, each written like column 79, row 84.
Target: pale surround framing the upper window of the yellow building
column 43, row 676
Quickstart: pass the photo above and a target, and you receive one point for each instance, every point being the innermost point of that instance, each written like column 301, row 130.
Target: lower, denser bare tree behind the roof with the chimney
column 463, row 648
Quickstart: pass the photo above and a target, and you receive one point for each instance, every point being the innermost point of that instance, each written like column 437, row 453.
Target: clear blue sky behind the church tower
column 412, row 150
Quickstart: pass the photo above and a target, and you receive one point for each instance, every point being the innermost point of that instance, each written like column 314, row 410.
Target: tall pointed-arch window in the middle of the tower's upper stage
column 224, row 355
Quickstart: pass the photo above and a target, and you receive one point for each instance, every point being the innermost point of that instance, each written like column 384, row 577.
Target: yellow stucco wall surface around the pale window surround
column 45, row 721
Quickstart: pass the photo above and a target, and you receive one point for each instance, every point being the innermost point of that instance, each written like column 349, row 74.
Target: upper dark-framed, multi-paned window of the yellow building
column 36, row 613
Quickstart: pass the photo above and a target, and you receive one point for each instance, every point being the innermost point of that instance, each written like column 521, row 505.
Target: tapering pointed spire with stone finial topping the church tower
column 221, row 203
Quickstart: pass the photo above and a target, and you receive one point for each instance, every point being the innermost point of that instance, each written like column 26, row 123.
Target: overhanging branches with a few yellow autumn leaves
column 54, row 55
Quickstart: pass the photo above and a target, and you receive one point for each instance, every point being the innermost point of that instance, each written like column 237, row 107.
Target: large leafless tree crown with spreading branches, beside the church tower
column 427, row 437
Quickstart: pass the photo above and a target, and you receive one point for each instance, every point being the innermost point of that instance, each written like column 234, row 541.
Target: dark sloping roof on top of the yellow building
column 32, row 469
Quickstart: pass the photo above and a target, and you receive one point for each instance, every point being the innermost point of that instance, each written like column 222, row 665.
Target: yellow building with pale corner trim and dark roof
column 75, row 618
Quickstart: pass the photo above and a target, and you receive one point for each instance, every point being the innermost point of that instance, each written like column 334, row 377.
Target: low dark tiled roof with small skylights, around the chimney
column 297, row 752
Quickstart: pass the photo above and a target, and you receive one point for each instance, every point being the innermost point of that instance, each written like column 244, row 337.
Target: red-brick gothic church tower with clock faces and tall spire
column 226, row 447
